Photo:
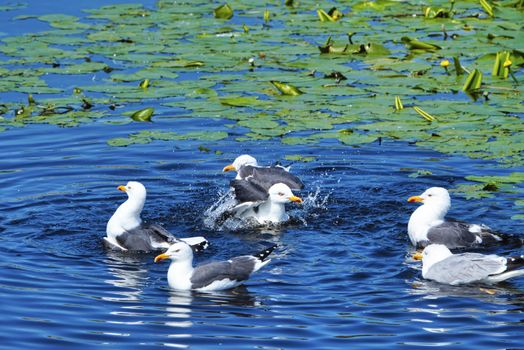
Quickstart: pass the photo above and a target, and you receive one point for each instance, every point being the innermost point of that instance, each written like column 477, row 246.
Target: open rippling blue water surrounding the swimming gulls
column 341, row 277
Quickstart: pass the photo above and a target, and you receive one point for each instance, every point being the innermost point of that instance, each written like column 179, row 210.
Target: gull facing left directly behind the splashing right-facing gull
column 247, row 168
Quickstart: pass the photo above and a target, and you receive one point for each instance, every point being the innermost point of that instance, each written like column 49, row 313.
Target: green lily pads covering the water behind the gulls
column 444, row 76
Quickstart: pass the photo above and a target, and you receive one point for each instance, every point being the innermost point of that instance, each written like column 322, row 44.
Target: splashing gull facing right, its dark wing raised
column 264, row 206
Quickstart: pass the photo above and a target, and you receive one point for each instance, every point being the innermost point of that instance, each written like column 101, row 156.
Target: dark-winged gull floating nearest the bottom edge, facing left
column 213, row 276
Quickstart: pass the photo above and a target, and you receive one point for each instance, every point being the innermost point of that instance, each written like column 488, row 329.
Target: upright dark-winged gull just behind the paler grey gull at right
column 427, row 224
